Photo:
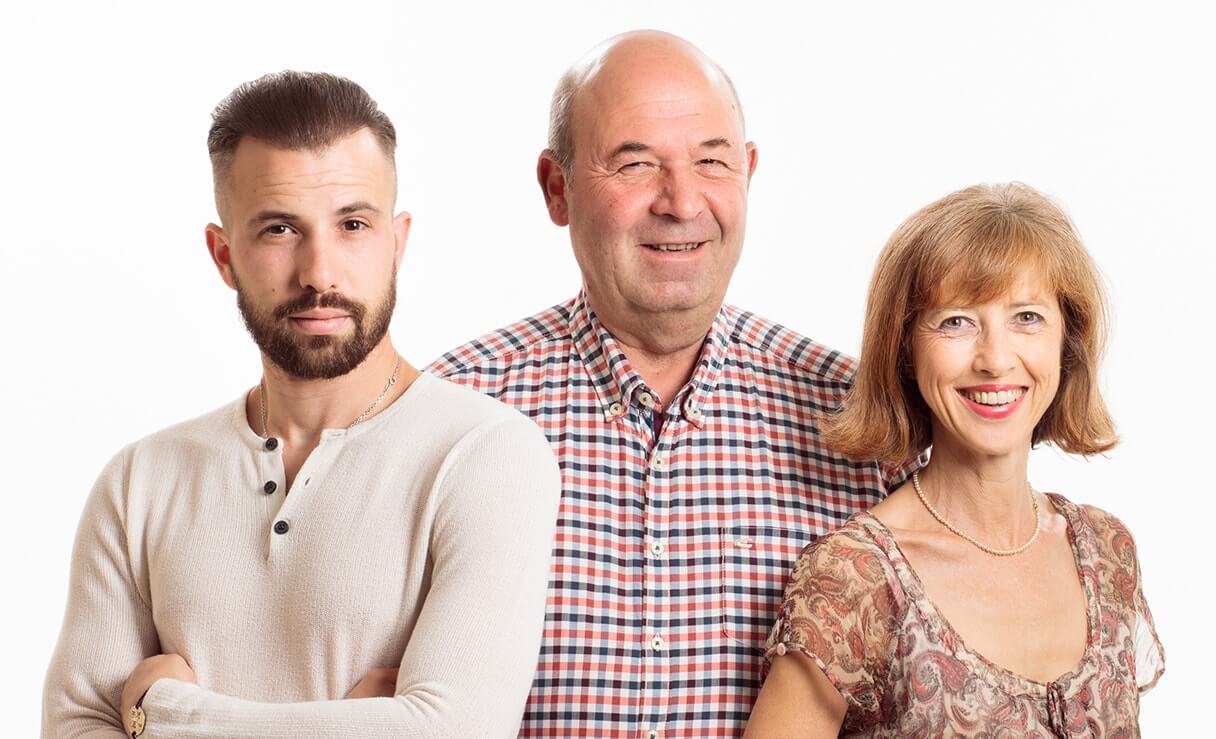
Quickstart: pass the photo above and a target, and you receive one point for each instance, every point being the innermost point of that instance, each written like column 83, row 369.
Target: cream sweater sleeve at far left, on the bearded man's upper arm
column 108, row 628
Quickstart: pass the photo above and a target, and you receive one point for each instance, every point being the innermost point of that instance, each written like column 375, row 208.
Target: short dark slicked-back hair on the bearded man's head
column 295, row 111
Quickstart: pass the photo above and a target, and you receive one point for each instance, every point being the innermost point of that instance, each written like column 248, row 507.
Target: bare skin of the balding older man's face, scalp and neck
column 660, row 159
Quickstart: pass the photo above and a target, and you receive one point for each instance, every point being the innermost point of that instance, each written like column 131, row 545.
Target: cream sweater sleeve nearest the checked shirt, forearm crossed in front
column 469, row 665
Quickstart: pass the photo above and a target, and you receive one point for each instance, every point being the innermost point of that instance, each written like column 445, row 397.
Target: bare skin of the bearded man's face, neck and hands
column 301, row 225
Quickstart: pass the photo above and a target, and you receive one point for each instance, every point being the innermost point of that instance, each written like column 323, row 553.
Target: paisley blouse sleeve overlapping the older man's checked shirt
column 842, row 611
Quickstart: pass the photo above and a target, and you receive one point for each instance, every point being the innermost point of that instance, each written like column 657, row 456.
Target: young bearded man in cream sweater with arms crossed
column 351, row 549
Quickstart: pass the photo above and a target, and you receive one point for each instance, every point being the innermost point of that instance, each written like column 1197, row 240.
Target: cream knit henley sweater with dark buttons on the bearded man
column 420, row 538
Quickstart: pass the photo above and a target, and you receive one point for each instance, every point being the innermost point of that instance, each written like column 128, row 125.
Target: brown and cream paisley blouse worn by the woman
column 858, row 610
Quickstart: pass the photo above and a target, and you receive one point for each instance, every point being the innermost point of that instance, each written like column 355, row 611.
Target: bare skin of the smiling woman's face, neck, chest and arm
column 1026, row 613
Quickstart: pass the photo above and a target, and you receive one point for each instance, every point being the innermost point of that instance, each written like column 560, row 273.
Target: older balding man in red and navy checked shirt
column 694, row 472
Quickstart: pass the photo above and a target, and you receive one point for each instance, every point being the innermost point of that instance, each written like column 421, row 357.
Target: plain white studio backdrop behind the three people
column 116, row 324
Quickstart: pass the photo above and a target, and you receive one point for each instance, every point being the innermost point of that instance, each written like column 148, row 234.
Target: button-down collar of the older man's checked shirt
column 618, row 385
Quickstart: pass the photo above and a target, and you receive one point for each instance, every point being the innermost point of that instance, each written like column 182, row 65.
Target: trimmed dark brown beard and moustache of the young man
column 317, row 357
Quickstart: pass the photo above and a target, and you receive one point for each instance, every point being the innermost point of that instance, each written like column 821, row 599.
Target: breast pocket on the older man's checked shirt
column 756, row 568
